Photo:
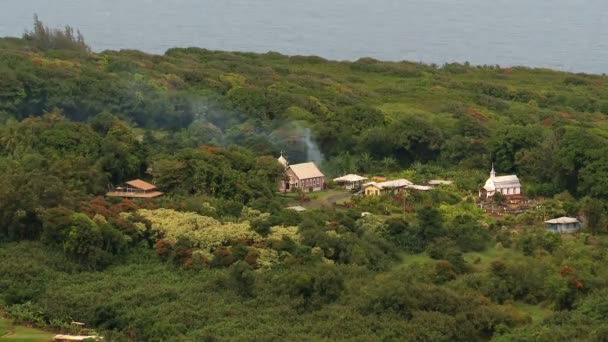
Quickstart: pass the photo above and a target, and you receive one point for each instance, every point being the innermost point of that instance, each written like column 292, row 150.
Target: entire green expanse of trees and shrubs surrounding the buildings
column 217, row 257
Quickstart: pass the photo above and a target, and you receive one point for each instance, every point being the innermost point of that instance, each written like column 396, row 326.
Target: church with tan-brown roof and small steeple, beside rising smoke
column 305, row 176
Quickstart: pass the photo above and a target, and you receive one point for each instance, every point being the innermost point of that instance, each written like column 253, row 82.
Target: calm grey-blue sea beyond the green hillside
column 562, row 34
